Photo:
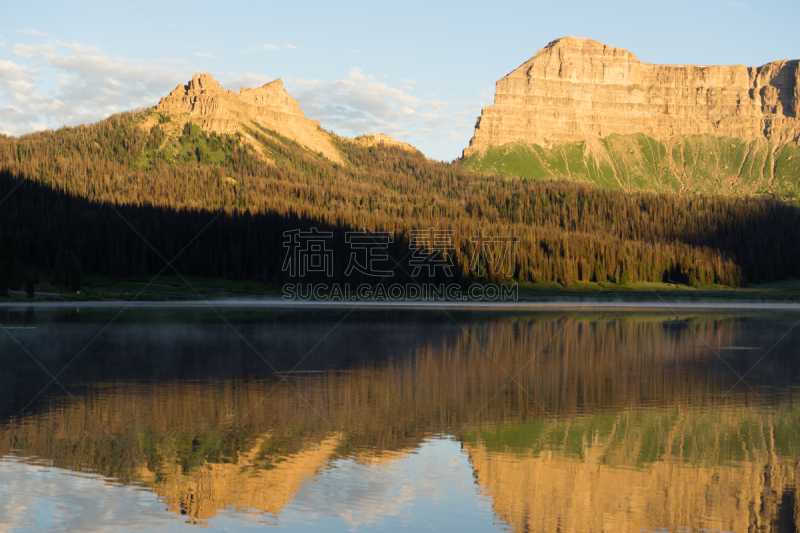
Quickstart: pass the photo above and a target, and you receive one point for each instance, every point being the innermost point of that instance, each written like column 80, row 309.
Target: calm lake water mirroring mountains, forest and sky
column 354, row 420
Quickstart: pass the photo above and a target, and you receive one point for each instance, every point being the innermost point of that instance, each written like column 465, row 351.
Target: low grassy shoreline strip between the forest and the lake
column 163, row 291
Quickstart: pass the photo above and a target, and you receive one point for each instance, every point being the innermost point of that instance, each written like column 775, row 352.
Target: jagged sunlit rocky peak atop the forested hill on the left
column 220, row 110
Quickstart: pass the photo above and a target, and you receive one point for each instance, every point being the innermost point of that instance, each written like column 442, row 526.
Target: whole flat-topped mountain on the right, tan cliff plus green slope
column 586, row 111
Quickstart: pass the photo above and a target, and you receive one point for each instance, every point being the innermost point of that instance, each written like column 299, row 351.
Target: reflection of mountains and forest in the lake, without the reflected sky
column 612, row 423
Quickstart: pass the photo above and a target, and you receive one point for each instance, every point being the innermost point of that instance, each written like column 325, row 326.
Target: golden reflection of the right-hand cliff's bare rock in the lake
column 546, row 493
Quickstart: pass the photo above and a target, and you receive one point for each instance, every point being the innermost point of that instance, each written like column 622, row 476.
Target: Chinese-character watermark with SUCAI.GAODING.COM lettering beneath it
column 370, row 254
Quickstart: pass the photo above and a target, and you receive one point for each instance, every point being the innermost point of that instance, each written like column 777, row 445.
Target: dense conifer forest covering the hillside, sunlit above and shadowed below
column 81, row 200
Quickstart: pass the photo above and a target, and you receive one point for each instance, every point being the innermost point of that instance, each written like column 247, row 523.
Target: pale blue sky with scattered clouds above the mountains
column 418, row 70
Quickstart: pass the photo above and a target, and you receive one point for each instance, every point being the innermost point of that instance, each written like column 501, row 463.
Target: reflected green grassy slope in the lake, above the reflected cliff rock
column 638, row 438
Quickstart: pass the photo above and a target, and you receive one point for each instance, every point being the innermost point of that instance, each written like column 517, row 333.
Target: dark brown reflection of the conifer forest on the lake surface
column 424, row 372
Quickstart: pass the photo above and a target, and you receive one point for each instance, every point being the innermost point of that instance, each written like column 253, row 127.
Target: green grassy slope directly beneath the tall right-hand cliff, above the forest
column 690, row 163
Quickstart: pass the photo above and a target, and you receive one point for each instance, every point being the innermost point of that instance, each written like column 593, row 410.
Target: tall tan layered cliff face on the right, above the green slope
column 577, row 89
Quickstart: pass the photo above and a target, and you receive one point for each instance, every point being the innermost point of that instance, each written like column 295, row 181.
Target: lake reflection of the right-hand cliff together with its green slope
column 594, row 482
